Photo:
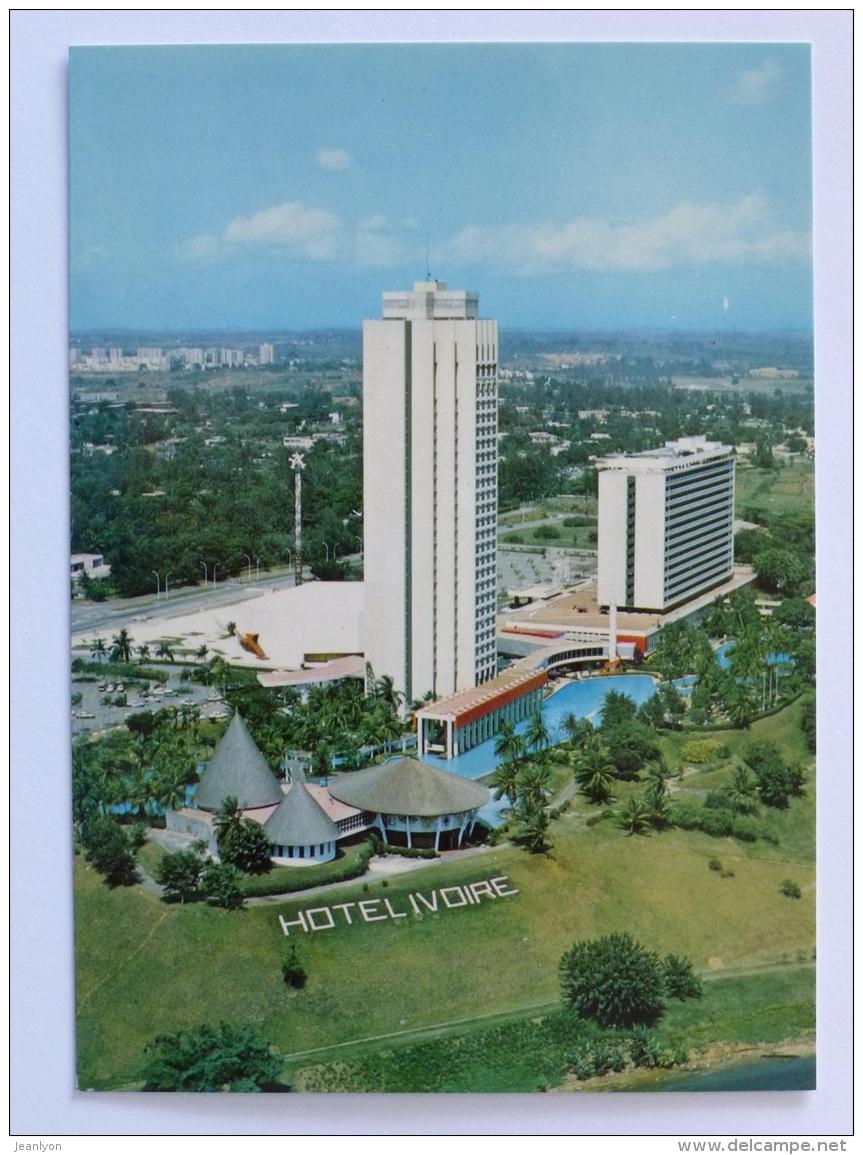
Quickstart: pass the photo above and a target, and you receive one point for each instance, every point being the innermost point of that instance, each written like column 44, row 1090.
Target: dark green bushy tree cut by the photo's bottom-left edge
column 209, row 1059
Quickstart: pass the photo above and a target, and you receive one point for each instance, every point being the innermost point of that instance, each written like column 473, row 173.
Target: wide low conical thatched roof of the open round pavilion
column 408, row 787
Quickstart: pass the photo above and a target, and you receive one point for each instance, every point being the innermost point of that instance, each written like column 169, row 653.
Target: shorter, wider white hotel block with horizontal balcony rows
column 666, row 524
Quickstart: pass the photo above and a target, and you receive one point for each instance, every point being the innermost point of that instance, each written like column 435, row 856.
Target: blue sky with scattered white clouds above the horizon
column 574, row 187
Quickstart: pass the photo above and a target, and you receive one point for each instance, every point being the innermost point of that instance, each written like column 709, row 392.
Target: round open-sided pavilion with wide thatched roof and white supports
column 413, row 804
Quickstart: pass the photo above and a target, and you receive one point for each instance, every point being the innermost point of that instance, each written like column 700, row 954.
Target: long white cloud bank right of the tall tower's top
column 689, row 234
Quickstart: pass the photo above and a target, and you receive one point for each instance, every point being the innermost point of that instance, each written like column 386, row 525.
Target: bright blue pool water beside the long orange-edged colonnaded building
column 584, row 699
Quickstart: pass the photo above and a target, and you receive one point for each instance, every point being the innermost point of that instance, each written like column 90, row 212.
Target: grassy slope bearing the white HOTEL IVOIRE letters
column 145, row 967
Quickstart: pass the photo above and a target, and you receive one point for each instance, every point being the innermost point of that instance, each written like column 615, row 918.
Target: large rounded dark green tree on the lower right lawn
column 614, row 981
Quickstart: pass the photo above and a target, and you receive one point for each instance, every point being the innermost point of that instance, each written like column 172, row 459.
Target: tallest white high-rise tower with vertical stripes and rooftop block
column 430, row 490
